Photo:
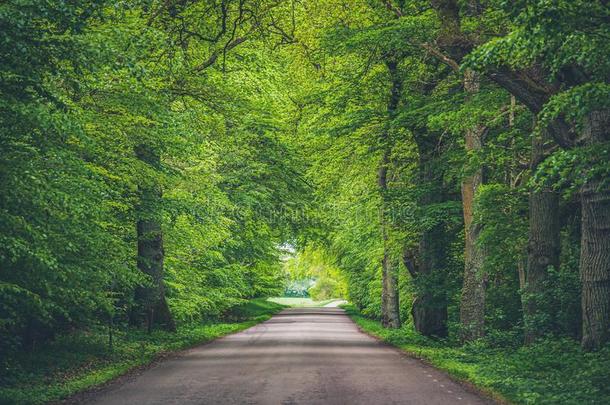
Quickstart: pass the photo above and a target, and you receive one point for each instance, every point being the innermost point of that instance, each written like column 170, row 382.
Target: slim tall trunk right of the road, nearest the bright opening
column 390, row 314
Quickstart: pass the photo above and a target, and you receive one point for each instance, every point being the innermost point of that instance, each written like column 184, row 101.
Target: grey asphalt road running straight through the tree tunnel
column 300, row 356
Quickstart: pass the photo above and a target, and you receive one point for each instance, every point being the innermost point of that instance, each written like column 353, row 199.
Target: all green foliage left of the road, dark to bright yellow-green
column 83, row 86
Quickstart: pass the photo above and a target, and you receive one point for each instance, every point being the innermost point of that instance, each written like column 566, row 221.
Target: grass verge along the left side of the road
column 82, row 360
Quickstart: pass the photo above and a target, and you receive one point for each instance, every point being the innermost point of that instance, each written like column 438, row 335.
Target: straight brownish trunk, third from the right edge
column 472, row 306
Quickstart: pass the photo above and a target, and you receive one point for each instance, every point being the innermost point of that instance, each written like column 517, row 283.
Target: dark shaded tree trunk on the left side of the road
column 150, row 249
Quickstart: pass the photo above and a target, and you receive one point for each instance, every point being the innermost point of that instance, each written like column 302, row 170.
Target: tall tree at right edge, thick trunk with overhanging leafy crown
column 565, row 81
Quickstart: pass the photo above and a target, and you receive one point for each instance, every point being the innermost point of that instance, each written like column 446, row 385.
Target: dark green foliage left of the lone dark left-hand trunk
column 64, row 228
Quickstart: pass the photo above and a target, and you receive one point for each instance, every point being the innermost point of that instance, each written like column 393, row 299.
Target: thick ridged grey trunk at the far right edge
column 595, row 243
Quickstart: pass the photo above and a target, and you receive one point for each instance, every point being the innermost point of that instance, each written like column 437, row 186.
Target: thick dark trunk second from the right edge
column 543, row 250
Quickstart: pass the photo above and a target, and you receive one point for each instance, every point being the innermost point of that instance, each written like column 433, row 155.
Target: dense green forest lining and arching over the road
column 444, row 165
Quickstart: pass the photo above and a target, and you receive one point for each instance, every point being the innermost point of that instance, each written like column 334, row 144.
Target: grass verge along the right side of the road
column 551, row 371
